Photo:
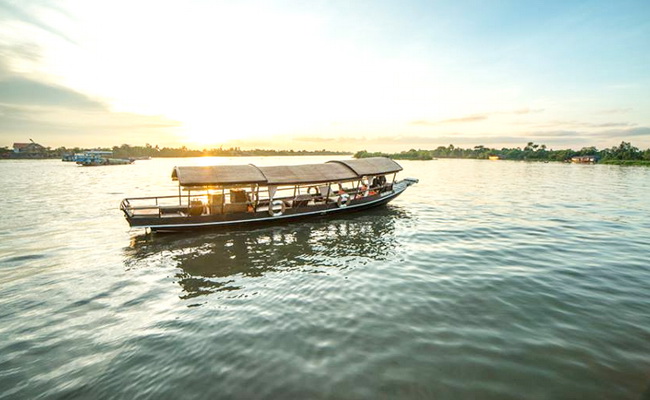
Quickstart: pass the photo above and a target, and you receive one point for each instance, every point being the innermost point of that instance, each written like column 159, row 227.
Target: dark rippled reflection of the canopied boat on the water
column 221, row 261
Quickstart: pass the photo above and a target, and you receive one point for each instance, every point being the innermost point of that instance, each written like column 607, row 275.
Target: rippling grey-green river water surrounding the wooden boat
column 487, row 280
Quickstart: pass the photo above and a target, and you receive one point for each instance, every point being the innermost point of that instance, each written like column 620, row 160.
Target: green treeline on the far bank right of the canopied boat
column 624, row 153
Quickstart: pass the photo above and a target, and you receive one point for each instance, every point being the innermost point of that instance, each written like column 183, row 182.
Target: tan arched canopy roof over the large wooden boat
column 331, row 171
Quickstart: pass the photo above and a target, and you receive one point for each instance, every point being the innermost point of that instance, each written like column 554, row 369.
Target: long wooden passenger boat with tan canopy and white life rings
column 238, row 195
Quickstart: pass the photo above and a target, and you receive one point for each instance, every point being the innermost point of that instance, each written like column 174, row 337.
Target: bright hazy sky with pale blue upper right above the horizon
column 336, row 74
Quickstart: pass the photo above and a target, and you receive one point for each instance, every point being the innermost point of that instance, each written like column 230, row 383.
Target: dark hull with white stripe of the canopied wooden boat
column 238, row 220
